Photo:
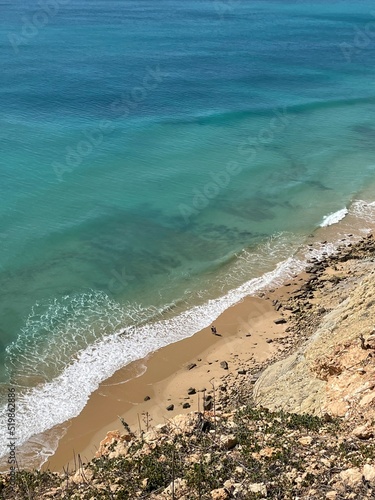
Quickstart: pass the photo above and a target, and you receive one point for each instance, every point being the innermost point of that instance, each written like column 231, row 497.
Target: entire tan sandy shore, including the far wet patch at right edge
column 252, row 334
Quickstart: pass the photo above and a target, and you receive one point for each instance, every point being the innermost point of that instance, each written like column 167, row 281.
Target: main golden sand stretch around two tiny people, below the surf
column 247, row 337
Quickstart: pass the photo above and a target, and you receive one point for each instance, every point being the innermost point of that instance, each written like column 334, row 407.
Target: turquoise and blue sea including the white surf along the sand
column 156, row 156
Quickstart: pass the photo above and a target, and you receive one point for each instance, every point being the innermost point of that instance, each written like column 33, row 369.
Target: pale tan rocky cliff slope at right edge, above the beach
column 333, row 372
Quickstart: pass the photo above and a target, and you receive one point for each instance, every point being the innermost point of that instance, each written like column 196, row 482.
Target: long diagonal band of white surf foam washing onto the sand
column 43, row 407
